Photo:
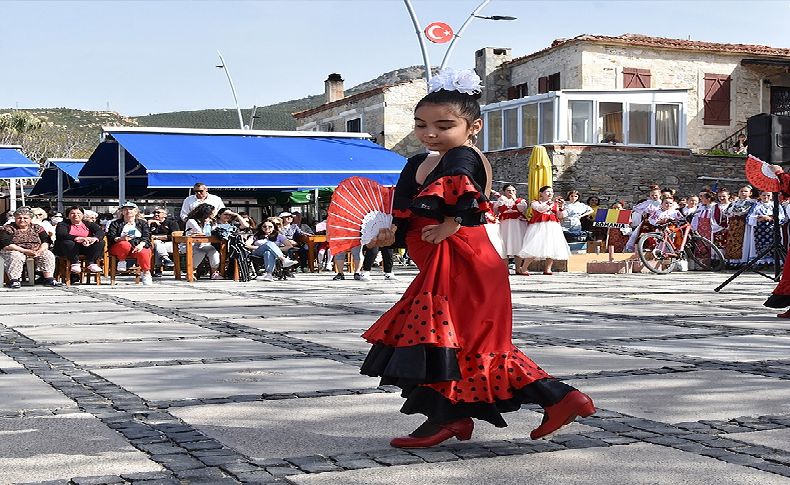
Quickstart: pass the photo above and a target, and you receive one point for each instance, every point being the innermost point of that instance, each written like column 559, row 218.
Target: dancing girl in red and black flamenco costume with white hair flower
column 454, row 364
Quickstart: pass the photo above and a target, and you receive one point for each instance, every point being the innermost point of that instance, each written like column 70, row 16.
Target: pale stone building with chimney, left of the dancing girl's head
column 386, row 112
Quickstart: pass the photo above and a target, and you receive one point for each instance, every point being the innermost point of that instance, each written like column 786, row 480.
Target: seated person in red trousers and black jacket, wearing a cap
column 129, row 237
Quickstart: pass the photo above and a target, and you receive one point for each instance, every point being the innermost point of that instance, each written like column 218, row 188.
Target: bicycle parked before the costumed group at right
column 660, row 252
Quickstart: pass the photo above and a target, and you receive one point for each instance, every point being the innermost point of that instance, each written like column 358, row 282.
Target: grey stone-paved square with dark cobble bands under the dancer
column 222, row 382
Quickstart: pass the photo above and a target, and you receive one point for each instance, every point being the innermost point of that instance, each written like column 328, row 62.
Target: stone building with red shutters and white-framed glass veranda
column 635, row 89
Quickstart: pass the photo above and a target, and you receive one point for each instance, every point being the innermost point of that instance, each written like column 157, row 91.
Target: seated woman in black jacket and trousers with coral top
column 78, row 237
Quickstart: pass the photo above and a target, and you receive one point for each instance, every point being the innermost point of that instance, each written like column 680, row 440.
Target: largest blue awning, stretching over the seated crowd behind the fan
column 238, row 159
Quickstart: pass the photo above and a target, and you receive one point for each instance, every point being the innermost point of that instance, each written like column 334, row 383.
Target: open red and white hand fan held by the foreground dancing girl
column 359, row 208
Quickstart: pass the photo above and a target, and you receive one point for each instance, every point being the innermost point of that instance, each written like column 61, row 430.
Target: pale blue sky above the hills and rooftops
column 141, row 57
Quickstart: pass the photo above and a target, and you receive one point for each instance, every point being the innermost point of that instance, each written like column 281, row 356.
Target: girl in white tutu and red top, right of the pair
column 544, row 238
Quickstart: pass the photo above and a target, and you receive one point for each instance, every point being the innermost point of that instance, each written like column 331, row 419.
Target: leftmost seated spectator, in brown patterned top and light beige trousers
column 22, row 239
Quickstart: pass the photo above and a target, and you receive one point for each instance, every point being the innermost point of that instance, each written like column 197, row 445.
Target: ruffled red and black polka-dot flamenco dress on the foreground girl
column 447, row 342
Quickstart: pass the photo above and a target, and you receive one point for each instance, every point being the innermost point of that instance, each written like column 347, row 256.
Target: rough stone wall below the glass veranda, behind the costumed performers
column 619, row 172
